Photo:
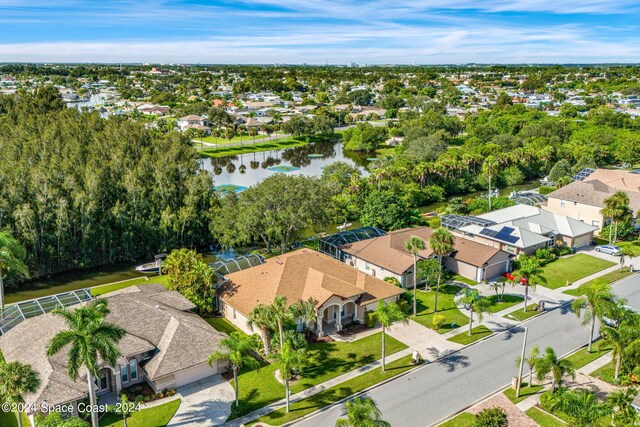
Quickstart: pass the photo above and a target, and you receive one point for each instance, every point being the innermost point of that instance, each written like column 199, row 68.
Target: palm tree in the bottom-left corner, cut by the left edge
column 16, row 380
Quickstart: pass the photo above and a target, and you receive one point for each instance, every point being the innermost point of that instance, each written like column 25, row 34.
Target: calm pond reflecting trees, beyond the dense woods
column 244, row 170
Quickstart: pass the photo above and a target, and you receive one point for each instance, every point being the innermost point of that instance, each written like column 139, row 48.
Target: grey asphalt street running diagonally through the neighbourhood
column 435, row 391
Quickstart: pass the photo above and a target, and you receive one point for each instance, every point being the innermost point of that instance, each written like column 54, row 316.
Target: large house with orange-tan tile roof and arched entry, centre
column 342, row 293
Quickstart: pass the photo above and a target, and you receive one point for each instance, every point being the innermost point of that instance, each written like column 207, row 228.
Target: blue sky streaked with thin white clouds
column 315, row 31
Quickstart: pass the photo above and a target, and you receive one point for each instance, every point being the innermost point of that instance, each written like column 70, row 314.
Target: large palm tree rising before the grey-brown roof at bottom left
column 91, row 339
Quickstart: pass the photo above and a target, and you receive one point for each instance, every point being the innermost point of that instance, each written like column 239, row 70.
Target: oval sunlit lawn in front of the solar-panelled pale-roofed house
column 570, row 269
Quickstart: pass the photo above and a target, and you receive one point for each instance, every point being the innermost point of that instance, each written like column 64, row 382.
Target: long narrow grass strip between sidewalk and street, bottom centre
column 337, row 393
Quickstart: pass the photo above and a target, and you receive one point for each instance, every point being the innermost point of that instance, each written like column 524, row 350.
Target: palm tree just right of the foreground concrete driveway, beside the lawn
column 240, row 350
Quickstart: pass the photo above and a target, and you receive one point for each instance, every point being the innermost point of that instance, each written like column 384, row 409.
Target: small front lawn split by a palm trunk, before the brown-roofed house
column 454, row 317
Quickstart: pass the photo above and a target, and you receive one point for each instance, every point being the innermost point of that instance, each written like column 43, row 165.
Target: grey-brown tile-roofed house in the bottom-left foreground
column 166, row 345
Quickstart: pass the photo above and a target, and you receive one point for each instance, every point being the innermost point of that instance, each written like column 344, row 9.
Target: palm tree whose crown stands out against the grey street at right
column 597, row 300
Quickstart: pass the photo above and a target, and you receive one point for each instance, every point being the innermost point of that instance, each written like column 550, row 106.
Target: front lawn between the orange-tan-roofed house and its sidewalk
column 260, row 387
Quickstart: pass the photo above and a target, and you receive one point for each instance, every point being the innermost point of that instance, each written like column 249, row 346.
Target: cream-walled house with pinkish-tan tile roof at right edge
column 583, row 200
